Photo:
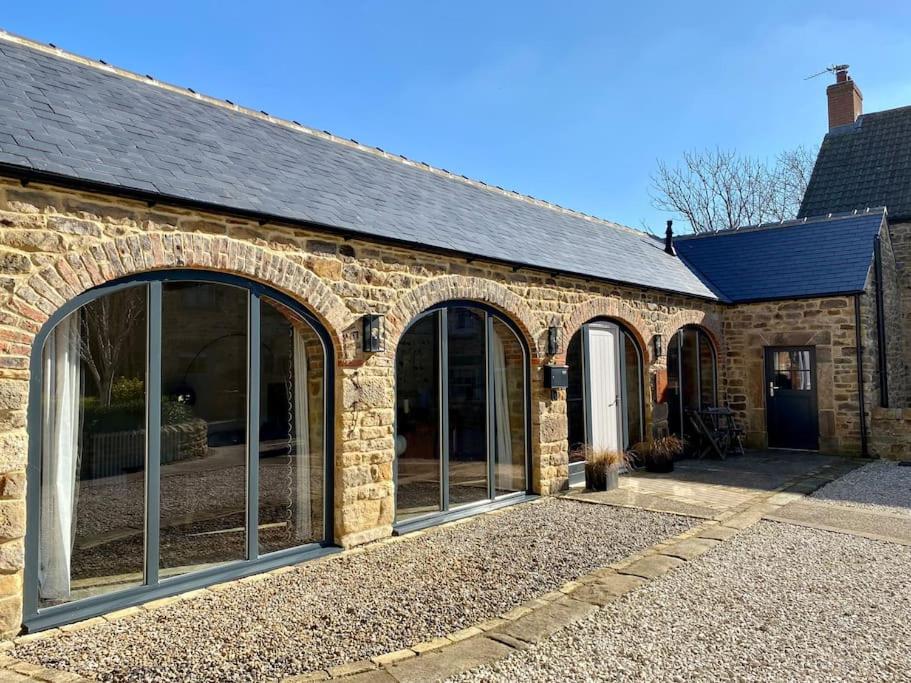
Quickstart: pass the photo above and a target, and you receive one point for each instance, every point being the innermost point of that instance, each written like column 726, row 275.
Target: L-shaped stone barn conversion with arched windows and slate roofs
column 231, row 342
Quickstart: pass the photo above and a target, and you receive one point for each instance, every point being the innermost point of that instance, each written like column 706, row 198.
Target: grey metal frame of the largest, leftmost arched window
column 153, row 587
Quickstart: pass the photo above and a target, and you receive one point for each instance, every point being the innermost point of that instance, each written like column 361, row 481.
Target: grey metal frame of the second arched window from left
column 447, row 512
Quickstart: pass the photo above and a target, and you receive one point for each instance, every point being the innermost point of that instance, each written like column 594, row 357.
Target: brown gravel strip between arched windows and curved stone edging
column 357, row 606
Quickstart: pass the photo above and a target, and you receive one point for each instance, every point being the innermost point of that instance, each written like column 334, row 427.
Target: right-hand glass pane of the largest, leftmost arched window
column 291, row 450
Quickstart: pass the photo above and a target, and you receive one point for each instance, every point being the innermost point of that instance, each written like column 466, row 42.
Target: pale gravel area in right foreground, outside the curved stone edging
column 776, row 603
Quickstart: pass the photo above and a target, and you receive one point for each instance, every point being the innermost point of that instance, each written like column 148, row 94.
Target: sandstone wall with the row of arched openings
column 55, row 244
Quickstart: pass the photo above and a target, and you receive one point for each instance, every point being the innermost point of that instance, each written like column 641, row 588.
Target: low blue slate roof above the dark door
column 797, row 259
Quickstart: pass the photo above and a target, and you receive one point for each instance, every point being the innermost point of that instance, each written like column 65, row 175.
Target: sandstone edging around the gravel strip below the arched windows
column 551, row 611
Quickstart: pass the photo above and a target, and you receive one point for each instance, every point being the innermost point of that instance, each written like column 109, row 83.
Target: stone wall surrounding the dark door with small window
column 825, row 323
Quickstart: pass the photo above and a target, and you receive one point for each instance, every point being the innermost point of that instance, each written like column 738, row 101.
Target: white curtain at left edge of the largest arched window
column 59, row 457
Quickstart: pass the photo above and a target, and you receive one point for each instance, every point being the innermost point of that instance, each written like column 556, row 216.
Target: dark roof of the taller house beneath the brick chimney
column 867, row 163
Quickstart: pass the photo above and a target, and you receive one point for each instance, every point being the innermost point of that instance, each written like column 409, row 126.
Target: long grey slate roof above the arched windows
column 84, row 121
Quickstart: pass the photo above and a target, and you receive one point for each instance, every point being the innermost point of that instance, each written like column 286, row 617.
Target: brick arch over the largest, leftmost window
column 72, row 274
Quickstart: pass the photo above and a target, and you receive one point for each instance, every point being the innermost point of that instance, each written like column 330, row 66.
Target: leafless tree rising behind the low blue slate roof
column 720, row 189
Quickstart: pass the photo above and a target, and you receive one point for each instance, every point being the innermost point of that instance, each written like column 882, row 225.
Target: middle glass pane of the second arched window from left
column 467, row 406
